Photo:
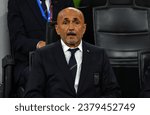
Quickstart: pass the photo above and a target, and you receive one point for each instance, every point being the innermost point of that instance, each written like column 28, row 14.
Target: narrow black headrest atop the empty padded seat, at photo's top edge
column 120, row 2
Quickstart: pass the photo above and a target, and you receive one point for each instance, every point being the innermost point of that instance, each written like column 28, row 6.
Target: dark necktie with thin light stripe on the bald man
column 72, row 63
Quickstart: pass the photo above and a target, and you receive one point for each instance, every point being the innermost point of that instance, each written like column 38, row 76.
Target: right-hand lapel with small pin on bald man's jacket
column 85, row 67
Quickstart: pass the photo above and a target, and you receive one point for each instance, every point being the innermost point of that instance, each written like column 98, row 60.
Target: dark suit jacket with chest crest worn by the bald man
column 50, row 76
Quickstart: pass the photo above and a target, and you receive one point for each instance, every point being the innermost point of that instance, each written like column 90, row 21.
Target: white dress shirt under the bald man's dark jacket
column 78, row 57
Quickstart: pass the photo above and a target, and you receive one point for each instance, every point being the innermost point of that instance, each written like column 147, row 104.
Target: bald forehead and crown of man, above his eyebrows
column 70, row 14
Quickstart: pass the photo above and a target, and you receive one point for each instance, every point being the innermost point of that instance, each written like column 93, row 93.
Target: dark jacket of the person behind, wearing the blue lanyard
column 27, row 27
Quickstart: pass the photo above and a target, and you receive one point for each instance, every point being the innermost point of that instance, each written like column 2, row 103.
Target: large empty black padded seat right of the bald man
column 123, row 29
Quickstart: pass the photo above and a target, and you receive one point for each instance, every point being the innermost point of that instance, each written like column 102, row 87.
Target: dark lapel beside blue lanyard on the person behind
column 36, row 12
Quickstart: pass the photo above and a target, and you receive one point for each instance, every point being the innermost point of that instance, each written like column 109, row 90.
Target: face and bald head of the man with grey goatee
column 70, row 26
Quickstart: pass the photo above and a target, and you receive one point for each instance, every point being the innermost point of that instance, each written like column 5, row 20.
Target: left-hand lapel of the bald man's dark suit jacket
column 62, row 64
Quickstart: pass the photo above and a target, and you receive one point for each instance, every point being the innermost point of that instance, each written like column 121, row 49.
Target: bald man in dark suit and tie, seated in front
column 71, row 67
